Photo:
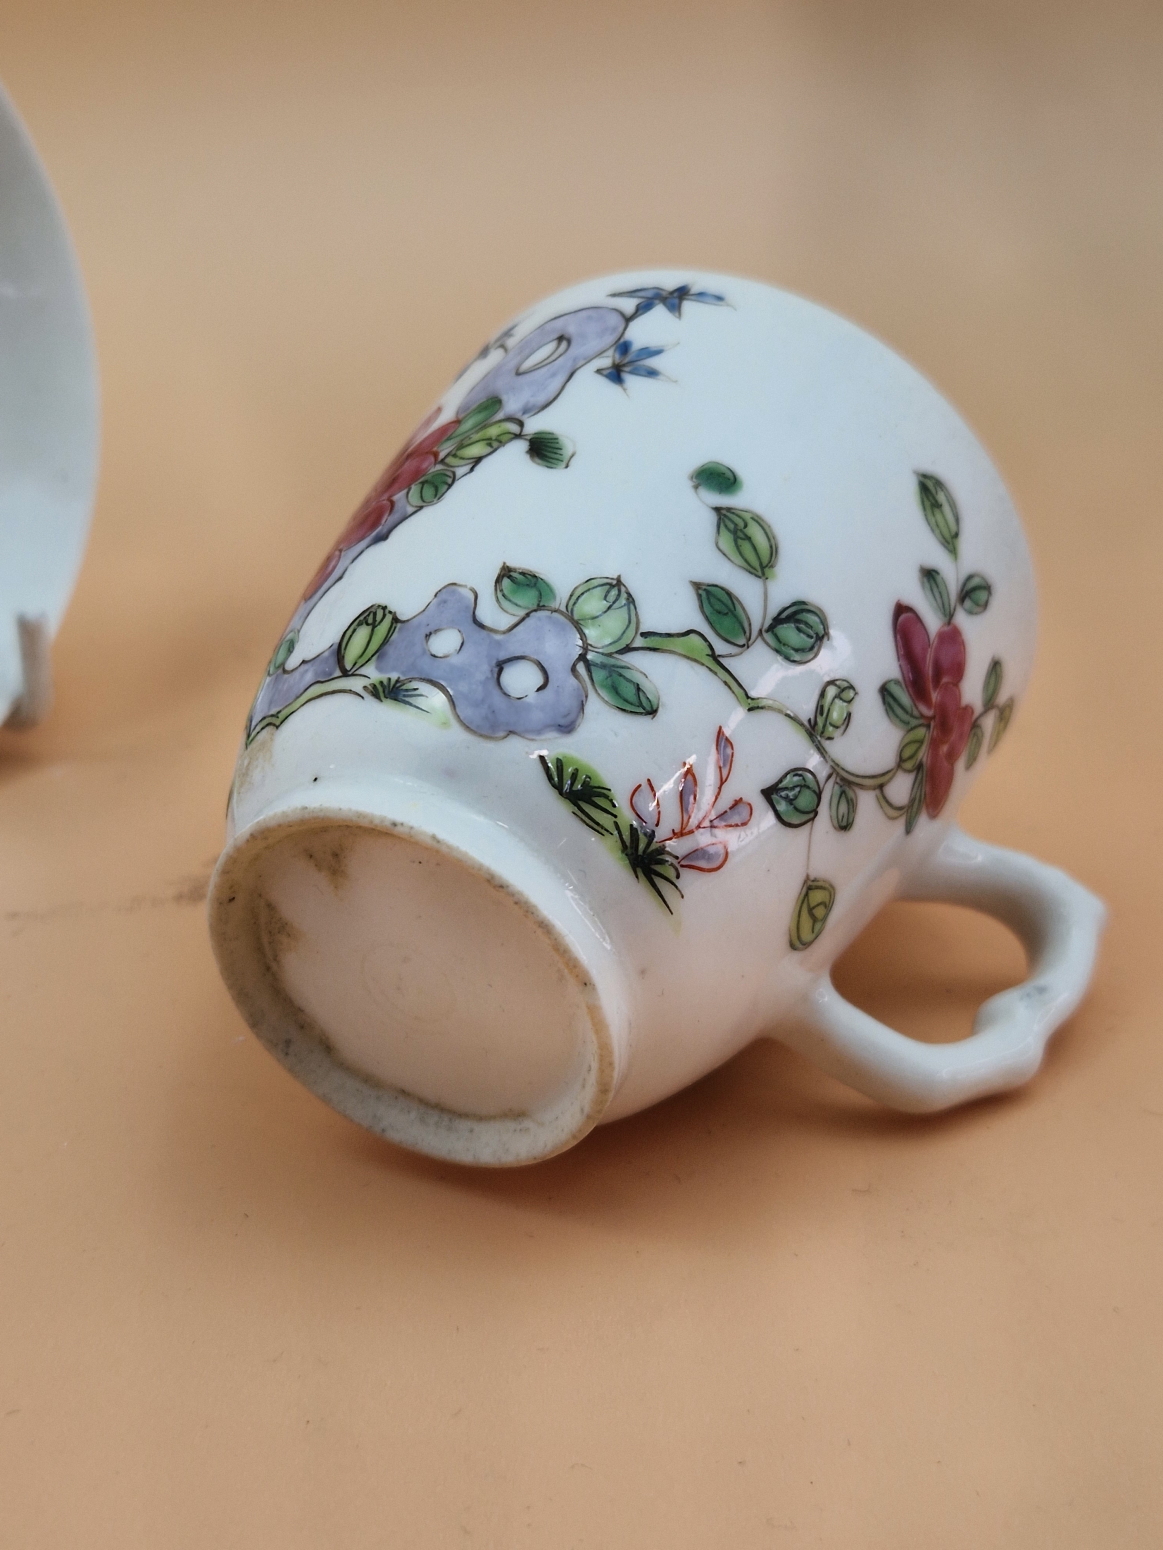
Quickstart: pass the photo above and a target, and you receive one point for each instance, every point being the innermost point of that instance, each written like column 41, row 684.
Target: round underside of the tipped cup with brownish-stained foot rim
column 416, row 988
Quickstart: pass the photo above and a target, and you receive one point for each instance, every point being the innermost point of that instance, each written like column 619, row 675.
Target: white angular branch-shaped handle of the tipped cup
column 1060, row 925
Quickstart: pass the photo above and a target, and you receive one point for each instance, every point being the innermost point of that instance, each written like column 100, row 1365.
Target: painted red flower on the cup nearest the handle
column 933, row 672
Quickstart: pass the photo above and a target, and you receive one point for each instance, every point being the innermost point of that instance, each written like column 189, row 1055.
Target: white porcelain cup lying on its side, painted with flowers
column 654, row 666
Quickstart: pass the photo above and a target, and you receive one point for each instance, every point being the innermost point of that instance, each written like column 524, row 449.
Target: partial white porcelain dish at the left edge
column 49, row 405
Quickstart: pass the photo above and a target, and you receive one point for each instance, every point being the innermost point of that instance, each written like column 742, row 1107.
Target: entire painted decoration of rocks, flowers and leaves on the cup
column 534, row 680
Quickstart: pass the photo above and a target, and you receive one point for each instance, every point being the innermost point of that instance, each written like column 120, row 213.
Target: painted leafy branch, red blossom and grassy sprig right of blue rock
column 925, row 703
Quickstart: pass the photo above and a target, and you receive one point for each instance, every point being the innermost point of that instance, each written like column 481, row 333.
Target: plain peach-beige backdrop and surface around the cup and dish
column 765, row 1314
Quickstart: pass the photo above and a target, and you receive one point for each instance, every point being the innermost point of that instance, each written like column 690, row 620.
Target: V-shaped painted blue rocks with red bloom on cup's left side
column 528, row 680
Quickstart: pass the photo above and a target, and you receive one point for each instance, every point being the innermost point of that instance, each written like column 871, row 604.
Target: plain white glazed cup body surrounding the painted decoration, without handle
column 827, row 430
